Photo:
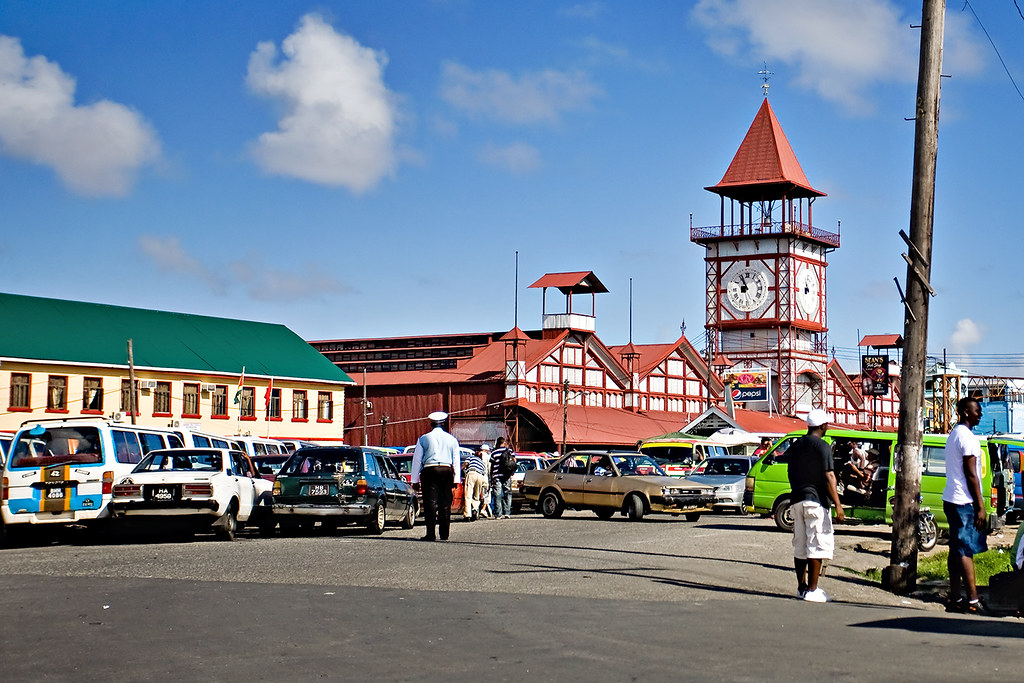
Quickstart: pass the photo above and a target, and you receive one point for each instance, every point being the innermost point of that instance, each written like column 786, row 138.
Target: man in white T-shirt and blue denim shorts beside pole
column 965, row 507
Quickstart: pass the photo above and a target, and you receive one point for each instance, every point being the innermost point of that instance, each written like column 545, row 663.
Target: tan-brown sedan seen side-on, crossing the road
column 609, row 483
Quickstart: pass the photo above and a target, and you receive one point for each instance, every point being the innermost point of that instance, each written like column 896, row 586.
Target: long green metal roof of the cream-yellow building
column 91, row 333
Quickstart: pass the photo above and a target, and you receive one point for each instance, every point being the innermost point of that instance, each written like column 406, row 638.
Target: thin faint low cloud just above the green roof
column 260, row 281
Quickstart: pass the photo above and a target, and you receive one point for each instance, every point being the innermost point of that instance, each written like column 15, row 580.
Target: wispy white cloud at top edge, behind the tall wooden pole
column 839, row 49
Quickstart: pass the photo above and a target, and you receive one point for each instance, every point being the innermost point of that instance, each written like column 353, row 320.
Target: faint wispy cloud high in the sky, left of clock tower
column 535, row 98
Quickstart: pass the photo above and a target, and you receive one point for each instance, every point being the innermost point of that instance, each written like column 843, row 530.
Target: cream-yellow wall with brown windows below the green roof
column 288, row 425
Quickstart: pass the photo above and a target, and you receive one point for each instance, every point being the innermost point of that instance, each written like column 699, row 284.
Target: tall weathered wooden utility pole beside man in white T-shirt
column 902, row 575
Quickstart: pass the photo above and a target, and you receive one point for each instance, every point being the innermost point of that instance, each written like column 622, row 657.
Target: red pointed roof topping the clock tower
column 765, row 166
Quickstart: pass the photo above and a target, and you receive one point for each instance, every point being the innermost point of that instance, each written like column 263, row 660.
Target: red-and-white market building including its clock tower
column 766, row 322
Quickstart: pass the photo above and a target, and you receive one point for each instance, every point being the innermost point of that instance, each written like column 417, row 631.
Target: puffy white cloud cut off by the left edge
column 96, row 150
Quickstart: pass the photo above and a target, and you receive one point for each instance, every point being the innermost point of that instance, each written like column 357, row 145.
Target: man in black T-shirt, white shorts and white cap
column 813, row 480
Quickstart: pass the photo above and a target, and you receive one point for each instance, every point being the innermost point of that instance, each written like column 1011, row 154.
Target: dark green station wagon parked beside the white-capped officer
column 343, row 485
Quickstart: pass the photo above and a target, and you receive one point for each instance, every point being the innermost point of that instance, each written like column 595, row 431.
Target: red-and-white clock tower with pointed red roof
column 766, row 270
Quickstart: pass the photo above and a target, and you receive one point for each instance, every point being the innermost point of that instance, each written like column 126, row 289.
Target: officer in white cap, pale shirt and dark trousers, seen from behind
column 437, row 472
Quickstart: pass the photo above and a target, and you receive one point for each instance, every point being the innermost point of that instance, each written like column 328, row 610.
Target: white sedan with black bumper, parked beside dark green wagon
column 204, row 488
